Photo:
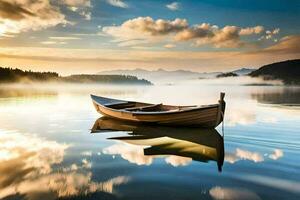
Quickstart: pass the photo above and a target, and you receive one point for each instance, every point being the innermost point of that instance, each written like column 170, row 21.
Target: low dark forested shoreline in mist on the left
column 9, row 75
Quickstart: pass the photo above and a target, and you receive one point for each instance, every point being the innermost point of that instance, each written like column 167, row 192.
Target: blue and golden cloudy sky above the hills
column 89, row 36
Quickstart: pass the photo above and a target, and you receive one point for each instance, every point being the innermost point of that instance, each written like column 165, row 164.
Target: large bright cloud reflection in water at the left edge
column 20, row 160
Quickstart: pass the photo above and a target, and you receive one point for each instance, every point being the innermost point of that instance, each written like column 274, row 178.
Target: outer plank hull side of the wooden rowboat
column 208, row 116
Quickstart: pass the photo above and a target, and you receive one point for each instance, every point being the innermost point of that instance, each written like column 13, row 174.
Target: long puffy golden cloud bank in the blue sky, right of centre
column 154, row 31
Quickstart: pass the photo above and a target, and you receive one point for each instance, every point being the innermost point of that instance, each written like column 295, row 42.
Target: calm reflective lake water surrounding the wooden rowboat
column 47, row 150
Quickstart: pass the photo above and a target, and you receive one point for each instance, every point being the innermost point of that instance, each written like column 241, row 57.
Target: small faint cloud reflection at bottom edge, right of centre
column 219, row 193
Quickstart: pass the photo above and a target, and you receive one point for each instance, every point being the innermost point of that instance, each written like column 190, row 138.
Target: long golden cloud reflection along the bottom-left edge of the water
column 60, row 185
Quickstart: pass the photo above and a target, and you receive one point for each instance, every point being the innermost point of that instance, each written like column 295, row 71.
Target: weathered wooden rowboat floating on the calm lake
column 208, row 116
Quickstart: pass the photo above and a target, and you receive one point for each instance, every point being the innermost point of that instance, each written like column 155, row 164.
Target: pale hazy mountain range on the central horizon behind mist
column 162, row 75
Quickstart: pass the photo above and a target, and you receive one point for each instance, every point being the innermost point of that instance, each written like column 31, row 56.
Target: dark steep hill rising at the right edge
column 287, row 71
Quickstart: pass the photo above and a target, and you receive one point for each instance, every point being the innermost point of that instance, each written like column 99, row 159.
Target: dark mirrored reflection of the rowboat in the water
column 198, row 144
